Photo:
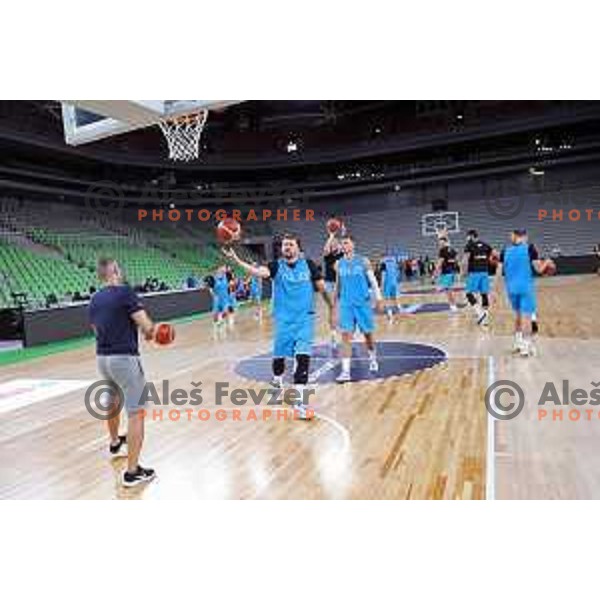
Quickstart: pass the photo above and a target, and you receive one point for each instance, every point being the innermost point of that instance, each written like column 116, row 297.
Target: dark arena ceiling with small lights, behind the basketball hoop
column 337, row 147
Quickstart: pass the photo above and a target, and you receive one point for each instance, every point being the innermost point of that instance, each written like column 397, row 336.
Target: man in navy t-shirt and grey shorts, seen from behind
column 116, row 314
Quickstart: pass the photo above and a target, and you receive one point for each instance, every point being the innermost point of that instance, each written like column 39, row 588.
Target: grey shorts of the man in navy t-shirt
column 126, row 372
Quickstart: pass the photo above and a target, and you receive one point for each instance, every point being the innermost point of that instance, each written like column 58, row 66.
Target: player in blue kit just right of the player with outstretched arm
column 355, row 278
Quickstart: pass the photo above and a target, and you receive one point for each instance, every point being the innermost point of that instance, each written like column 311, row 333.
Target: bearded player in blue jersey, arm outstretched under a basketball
column 295, row 280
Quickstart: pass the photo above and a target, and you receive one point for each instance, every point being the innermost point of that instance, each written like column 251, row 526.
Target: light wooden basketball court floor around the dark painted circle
column 425, row 435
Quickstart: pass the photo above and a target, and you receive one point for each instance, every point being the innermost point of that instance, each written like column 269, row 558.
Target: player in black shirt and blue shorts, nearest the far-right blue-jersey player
column 478, row 280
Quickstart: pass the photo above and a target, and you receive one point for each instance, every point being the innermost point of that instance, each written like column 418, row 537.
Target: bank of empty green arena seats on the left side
column 49, row 252
